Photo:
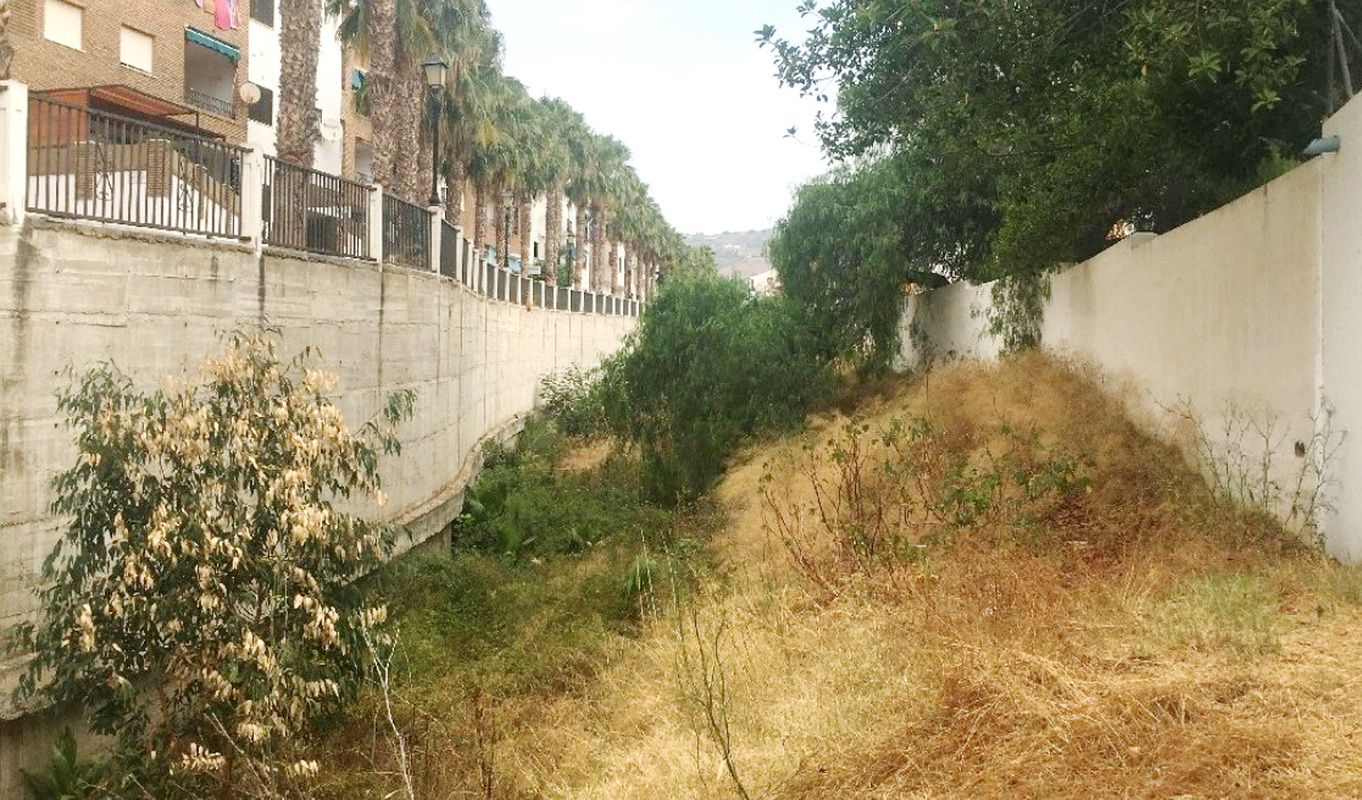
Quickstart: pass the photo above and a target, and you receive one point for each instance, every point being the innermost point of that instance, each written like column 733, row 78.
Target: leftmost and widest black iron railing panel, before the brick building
column 103, row 167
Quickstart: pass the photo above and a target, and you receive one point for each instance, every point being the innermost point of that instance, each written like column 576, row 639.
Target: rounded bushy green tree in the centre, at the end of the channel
column 709, row 366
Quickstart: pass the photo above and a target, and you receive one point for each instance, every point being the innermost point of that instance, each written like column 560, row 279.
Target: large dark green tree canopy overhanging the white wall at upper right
column 1013, row 136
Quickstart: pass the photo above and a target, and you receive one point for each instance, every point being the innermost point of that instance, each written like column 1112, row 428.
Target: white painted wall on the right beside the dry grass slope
column 1250, row 316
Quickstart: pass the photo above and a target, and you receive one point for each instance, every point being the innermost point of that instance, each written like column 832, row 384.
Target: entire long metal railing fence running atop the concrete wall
column 96, row 166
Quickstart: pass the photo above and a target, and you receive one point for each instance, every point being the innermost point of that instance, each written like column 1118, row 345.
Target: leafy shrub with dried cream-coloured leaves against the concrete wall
column 201, row 603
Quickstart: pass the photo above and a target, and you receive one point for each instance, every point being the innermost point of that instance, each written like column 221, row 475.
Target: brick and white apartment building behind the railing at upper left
column 186, row 65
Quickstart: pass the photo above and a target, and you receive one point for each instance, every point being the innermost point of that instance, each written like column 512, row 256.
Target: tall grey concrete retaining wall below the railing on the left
column 74, row 294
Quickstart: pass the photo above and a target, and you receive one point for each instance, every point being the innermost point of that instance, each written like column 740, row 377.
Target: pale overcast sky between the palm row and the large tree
column 684, row 87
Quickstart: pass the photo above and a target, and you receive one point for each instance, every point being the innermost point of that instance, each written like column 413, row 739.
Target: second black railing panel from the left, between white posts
column 313, row 211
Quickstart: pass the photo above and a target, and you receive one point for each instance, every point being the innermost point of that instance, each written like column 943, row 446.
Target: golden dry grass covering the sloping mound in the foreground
column 1152, row 644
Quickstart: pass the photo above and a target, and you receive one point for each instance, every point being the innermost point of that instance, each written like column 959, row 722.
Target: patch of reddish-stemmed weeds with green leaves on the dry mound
column 893, row 494
